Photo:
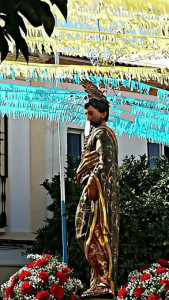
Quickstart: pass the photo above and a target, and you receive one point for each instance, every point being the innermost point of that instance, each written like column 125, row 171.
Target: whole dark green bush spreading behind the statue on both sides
column 144, row 213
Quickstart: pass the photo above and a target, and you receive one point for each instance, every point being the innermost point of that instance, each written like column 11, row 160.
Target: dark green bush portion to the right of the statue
column 144, row 213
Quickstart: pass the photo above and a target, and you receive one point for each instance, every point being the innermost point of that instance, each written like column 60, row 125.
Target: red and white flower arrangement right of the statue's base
column 149, row 283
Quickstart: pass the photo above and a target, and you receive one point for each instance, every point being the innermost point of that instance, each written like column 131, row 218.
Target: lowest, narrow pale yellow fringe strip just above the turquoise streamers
column 50, row 72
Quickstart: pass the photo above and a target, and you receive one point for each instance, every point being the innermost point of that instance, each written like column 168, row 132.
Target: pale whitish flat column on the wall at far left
column 19, row 172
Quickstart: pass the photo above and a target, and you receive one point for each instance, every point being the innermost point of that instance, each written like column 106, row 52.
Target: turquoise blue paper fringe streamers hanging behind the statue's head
column 142, row 118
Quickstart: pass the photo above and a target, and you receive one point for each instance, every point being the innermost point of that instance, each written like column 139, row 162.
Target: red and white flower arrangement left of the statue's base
column 44, row 278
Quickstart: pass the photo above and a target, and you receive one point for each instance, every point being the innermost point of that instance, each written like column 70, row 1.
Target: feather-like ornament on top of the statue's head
column 93, row 91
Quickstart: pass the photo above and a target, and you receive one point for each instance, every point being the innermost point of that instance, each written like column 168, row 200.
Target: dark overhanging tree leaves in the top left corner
column 37, row 12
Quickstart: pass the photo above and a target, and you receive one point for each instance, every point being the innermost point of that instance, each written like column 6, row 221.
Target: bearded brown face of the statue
column 95, row 117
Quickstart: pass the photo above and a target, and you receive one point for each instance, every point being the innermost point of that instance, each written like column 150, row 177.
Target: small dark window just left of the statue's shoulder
column 74, row 142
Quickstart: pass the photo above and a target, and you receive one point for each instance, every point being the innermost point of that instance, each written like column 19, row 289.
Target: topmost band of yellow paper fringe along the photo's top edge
column 150, row 14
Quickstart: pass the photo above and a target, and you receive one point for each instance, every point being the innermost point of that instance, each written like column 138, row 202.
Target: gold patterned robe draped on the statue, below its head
column 97, row 222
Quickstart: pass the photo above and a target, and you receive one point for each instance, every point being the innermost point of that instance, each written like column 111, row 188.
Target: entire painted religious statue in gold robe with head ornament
column 97, row 215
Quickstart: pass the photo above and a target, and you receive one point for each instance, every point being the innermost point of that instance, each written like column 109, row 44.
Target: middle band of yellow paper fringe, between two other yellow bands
column 107, row 46
